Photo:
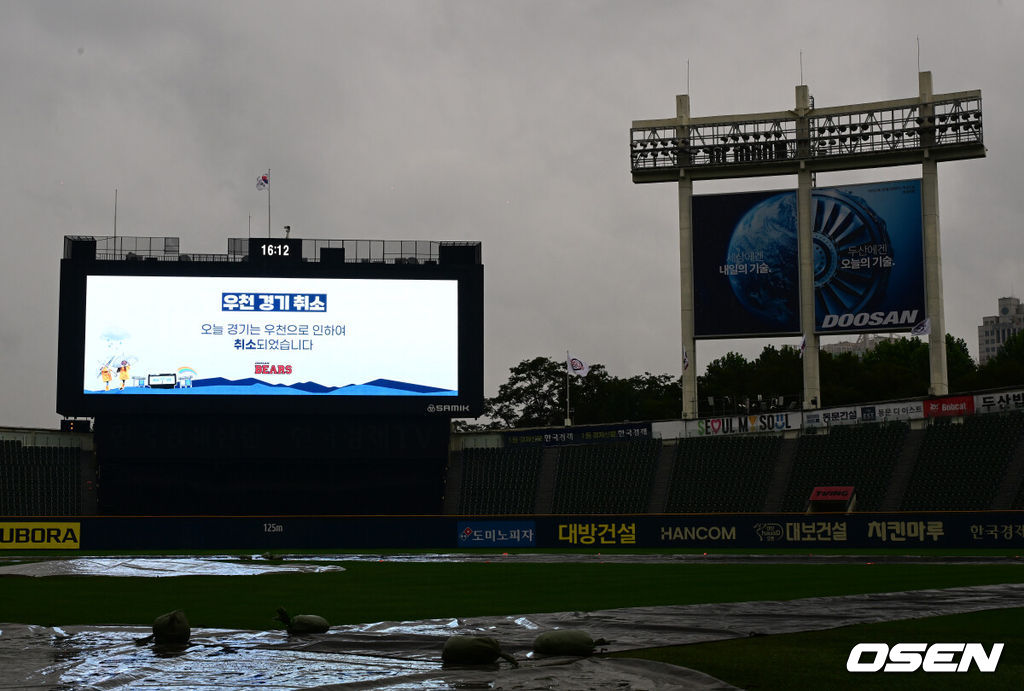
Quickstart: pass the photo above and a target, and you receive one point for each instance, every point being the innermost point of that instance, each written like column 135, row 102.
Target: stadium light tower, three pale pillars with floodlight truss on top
column 921, row 131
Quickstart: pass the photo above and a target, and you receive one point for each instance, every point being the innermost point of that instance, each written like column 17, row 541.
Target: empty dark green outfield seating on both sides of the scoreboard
column 970, row 464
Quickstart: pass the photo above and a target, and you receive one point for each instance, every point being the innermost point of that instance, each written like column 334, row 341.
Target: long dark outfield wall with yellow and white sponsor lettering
column 710, row 532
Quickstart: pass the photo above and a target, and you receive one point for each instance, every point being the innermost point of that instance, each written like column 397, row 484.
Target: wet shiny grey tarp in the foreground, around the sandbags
column 407, row 655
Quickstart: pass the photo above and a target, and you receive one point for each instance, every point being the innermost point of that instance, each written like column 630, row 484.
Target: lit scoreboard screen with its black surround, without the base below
column 153, row 337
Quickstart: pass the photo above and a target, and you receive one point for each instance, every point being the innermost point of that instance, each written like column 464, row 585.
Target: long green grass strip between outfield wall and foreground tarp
column 392, row 591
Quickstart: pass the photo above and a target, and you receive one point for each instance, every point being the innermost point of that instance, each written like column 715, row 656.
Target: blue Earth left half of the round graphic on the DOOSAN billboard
column 766, row 237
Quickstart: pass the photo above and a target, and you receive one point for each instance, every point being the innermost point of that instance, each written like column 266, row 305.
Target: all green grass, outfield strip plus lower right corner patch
column 375, row 591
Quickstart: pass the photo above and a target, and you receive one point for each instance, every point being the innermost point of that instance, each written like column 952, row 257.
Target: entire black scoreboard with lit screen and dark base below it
column 191, row 420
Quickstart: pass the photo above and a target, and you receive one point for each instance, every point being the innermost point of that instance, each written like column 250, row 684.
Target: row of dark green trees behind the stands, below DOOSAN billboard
column 535, row 393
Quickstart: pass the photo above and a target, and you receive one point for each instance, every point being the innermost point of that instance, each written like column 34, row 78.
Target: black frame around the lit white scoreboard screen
column 72, row 402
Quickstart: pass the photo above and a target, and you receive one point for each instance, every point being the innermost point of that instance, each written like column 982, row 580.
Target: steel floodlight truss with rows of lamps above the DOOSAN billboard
column 845, row 138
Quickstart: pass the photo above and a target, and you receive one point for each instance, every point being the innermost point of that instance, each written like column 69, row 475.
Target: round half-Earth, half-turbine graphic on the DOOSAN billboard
column 852, row 257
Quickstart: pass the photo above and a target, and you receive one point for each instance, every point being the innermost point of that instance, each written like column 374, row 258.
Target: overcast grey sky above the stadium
column 501, row 122
